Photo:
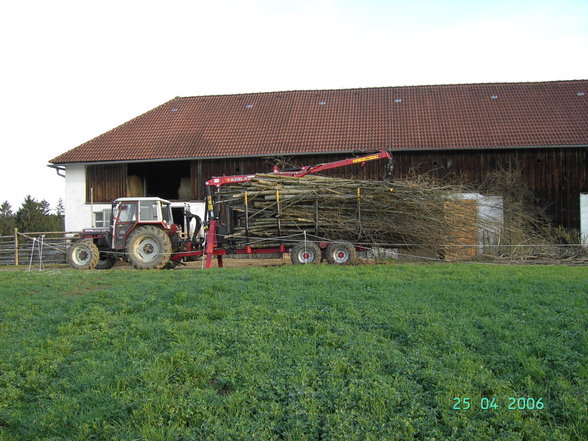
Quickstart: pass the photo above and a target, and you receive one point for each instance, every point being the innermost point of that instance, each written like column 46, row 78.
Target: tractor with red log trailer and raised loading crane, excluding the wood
column 144, row 232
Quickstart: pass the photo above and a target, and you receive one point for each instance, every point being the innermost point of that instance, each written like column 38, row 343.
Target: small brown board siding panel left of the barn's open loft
column 107, row 181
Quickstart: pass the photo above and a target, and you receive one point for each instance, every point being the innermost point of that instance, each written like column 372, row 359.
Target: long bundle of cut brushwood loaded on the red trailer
column 376, row 212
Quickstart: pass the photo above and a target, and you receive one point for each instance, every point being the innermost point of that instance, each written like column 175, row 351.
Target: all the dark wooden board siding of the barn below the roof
column 555, row 175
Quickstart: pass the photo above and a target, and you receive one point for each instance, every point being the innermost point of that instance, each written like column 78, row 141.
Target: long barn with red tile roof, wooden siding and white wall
column 463, row 131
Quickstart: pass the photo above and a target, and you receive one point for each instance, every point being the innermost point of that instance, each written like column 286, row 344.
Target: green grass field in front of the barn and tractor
column 296, row 353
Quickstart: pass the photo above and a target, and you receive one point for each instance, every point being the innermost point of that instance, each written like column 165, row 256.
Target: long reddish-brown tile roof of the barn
column 465, row 116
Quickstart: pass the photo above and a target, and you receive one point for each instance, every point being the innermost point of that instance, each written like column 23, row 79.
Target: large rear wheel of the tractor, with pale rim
column 148, row 247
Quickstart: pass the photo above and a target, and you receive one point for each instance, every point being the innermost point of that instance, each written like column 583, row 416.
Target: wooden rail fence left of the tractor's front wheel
column 26, row 248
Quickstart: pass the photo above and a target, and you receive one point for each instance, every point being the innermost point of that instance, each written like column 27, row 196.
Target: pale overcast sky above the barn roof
column 71, row 70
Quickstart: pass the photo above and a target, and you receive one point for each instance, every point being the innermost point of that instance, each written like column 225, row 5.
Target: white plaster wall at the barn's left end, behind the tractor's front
column 78, row 214
